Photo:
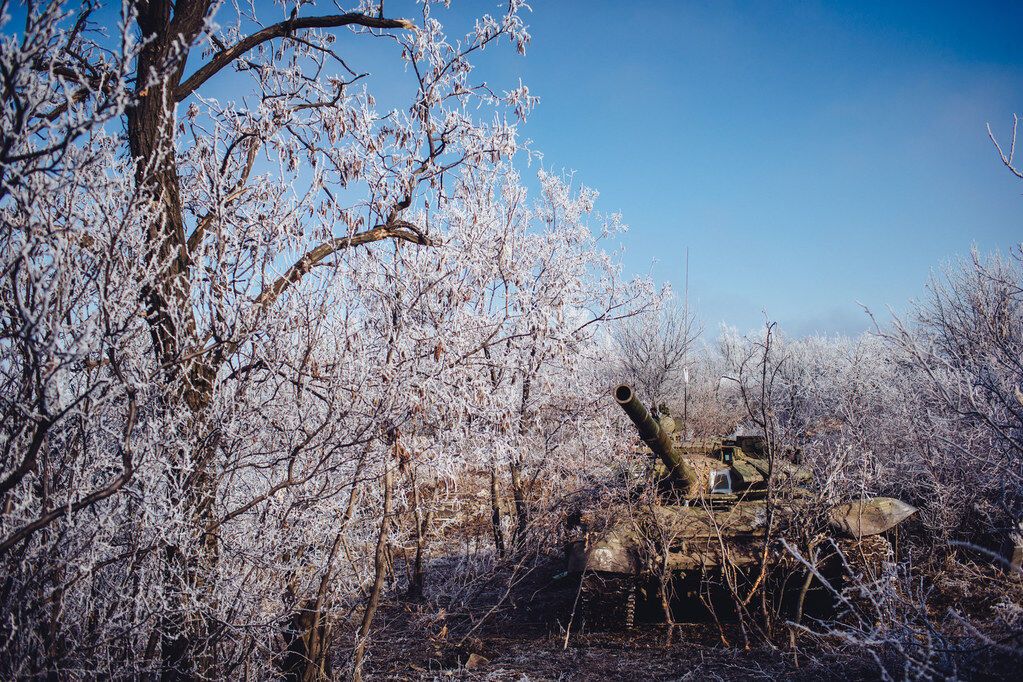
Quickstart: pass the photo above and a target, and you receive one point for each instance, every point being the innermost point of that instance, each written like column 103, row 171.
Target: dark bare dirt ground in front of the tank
column 517, row 642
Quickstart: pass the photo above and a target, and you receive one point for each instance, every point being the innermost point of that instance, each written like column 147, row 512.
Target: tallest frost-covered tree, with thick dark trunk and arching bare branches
column 167, row 252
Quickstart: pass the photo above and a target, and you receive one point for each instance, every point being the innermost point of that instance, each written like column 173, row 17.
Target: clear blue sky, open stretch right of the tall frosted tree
column 810, row 155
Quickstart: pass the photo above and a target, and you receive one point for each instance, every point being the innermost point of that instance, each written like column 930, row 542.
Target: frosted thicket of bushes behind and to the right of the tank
column 928, row 410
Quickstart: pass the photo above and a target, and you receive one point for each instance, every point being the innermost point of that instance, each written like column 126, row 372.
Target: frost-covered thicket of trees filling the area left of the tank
column 251, row 342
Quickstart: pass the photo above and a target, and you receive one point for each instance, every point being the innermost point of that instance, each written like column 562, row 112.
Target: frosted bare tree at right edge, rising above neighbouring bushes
column 966, row 343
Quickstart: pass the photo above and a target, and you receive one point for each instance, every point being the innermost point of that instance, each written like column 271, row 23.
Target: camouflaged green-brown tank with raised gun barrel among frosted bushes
column 699, row 518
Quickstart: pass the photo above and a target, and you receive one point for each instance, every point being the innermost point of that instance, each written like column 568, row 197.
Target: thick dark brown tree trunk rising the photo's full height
column 168, row 31
